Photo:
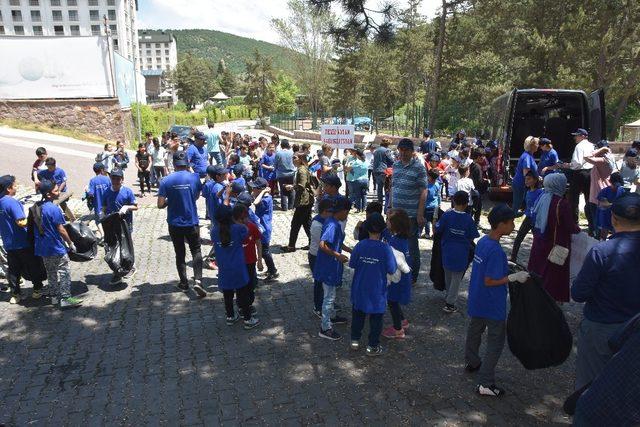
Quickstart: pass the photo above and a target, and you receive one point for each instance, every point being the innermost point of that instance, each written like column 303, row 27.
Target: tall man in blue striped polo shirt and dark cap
column 408, row 192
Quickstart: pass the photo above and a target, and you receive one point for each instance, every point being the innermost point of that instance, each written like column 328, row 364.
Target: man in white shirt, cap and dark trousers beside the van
column 580, row 180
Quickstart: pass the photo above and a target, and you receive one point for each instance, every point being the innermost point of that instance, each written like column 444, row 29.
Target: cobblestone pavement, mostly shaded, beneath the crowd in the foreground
column 147, row 354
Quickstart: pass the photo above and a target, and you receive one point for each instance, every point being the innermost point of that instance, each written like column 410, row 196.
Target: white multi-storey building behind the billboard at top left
column 74, row 18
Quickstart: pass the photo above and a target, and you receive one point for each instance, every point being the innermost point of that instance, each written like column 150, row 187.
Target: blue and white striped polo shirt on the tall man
column 408, row 184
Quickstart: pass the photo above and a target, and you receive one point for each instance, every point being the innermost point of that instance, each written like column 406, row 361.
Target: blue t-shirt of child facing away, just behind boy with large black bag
column 458, row 230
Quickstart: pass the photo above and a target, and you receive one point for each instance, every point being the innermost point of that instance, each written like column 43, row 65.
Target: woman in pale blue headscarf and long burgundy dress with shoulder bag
column 554, row 225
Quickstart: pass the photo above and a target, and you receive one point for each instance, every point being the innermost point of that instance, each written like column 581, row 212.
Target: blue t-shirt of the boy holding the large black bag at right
column 489, row 302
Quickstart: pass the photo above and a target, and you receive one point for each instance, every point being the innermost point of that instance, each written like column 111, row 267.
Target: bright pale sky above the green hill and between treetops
column 247, row 18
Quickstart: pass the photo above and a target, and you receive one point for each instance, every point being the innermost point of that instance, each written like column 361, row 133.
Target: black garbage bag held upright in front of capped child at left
column 118, row 244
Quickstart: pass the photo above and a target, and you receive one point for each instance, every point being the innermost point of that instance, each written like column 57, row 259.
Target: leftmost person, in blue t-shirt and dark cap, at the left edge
column 13, row 230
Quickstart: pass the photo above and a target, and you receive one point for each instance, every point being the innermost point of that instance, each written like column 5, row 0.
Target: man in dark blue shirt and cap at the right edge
column 608, row 284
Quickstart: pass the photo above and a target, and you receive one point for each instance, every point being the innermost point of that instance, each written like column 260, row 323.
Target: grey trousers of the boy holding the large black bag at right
column 496, row 331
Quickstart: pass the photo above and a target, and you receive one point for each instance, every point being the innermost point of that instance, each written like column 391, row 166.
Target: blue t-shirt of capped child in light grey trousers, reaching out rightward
column 328, row 269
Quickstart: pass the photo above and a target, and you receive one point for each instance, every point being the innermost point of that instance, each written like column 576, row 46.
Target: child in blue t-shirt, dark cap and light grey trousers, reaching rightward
column 328, row 268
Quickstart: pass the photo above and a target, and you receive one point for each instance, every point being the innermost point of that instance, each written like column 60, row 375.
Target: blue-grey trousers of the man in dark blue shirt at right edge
column 593, row 350
